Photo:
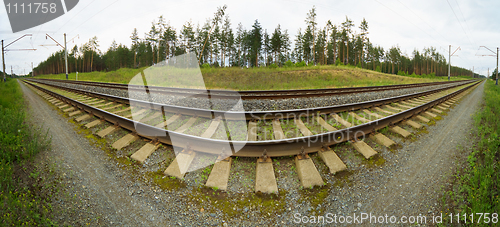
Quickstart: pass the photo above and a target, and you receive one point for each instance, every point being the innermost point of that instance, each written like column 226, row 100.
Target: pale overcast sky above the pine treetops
column 410, row 24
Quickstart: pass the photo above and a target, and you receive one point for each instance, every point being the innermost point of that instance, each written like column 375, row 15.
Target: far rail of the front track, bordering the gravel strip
column 253, row 115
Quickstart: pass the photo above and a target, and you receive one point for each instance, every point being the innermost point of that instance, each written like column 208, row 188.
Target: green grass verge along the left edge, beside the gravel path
column 19, row 143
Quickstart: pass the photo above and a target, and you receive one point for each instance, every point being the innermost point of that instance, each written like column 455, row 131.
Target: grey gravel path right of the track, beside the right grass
column 412, row 181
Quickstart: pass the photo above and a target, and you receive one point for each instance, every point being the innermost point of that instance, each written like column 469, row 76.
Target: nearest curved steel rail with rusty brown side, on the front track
column 285, row 147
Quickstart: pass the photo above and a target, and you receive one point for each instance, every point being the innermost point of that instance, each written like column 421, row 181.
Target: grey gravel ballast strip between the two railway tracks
column 253, row 104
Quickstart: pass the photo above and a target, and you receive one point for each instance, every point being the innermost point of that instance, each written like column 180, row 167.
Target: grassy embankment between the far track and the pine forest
column 271, row 79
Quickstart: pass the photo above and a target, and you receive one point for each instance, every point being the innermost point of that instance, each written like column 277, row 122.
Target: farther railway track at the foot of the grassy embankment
column 246, row 95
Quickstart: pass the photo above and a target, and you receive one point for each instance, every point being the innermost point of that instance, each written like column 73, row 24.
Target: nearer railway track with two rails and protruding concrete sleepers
column 262, row 135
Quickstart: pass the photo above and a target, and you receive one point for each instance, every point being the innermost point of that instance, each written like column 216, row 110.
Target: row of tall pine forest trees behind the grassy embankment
column 217, row 45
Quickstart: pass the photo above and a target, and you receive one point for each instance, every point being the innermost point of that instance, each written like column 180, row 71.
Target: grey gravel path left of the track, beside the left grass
column 100, row 193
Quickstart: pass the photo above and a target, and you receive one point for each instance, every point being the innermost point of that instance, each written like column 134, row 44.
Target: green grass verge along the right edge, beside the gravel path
column 477, row 188
